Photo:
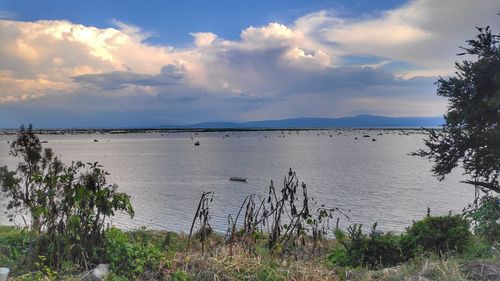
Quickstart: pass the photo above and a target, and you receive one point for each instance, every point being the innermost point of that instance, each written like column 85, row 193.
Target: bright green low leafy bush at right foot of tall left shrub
column 128, row 257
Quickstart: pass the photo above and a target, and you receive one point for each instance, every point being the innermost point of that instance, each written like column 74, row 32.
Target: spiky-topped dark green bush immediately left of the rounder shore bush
column 373, row 250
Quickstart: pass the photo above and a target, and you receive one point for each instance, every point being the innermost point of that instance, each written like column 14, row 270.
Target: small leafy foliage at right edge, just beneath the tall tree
column 486, row 218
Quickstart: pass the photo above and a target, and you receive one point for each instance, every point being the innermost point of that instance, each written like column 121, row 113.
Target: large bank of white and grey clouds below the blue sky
column 319, row 65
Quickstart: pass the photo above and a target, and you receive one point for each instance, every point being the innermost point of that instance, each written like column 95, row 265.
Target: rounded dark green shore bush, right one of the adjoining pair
column 437, row 234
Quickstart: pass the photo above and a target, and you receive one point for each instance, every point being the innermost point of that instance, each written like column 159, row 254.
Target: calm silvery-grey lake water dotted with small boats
column 165, row 173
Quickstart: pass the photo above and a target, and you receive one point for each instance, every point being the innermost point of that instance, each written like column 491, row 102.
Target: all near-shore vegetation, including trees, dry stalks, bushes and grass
column 282, row 236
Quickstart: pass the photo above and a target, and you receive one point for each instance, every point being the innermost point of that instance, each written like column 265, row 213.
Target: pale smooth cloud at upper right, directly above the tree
column 425, row 33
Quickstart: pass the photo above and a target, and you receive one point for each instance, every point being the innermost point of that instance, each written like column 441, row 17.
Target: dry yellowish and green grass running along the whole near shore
column 223, row 262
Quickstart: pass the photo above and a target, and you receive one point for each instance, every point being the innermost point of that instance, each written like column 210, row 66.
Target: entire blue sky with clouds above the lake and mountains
column 152, row 63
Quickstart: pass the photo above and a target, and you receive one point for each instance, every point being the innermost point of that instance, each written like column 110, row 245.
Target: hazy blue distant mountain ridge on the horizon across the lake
column 359, row 121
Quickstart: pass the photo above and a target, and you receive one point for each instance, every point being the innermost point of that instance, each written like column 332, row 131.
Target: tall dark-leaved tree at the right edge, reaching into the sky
column 470, row 136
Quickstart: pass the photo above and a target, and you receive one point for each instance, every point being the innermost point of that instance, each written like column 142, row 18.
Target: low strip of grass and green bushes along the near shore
column 159, row 255
